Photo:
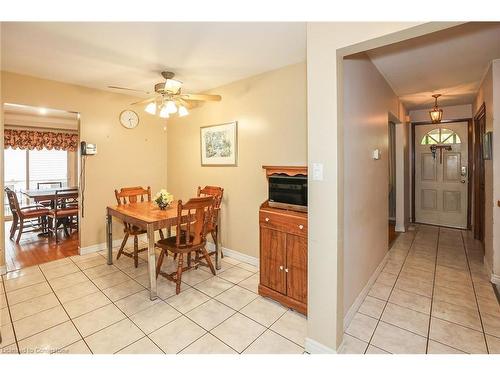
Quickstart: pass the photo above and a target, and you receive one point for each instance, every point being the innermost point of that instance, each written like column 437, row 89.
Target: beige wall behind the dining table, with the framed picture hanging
column 271, row 112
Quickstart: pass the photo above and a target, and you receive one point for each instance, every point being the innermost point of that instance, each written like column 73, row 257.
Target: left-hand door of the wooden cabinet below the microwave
column 272, row 259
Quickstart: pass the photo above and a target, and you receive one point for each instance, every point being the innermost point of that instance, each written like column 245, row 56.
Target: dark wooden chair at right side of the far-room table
column 65, row 212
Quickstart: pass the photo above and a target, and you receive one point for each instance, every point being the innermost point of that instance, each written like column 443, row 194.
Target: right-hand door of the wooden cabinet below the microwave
column 296, row 267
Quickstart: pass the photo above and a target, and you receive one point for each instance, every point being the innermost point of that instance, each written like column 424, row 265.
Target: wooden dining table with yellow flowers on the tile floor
column 148, row 216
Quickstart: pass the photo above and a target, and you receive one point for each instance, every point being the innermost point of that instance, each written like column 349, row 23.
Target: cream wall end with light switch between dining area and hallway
column 325, row 42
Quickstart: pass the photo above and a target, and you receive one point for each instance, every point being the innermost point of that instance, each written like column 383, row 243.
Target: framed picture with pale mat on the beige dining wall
column 219, row 144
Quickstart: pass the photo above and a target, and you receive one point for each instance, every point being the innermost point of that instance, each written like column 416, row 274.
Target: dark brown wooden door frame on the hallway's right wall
column 479, row 178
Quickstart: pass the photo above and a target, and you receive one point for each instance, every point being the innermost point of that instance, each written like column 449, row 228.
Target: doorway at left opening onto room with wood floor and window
column 41, row 177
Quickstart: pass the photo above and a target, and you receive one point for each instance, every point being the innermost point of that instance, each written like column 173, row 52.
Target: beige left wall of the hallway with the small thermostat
column 368, row 100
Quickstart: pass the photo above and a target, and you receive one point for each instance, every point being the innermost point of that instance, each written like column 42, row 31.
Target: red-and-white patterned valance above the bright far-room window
column 32, row 139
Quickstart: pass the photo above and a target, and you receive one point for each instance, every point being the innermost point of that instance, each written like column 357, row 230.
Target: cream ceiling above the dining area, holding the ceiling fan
column 203, row 55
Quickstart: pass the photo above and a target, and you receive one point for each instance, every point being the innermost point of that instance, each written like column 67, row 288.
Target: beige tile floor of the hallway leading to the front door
column 433, row 296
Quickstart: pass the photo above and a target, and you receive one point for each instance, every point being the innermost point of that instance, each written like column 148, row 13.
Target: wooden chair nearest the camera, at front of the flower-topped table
column 192, row 239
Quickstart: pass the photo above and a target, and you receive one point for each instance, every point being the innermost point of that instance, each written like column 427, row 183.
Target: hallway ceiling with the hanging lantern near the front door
column 450, row 62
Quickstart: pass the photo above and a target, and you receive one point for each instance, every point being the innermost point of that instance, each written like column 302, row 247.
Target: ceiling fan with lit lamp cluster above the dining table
column 169, row 97
